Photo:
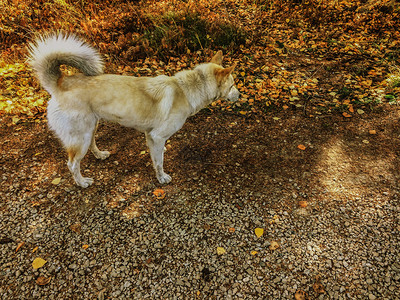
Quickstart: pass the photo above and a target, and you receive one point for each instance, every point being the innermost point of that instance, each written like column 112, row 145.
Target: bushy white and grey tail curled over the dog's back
column 48, row 52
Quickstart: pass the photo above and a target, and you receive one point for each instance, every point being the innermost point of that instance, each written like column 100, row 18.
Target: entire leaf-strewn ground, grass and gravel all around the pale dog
column 290, row 193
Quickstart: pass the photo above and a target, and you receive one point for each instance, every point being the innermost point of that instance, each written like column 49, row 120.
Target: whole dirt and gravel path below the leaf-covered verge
column 330, row 214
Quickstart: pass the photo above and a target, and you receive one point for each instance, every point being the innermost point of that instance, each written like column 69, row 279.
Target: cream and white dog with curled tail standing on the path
column 157, row 106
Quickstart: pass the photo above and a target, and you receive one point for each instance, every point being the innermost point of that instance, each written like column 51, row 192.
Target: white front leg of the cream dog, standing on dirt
column 156, row 145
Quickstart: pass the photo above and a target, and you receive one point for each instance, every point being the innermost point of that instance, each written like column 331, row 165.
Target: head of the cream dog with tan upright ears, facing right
column 224, row 78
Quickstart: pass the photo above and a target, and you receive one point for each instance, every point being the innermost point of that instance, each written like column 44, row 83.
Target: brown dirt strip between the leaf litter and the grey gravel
column 259, row 156
